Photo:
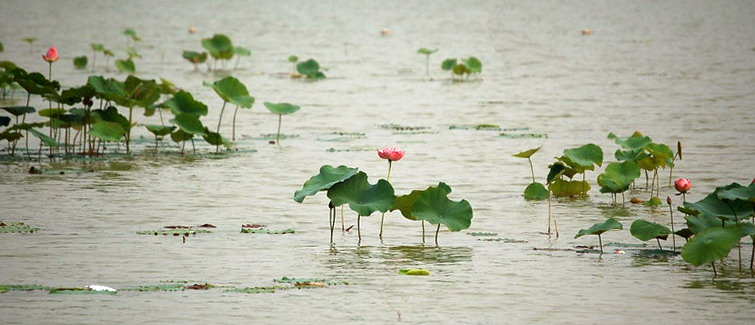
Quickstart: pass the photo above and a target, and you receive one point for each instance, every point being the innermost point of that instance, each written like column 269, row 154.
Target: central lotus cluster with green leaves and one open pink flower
column 349, row 186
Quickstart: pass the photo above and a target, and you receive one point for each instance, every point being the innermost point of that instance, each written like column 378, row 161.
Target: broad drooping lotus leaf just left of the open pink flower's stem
column 362, row 197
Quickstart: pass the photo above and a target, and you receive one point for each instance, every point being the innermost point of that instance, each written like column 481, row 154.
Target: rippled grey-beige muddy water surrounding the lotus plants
column 677, row 71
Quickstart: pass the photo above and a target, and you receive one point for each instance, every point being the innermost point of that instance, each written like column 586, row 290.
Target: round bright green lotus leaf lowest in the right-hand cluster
column 710, row 245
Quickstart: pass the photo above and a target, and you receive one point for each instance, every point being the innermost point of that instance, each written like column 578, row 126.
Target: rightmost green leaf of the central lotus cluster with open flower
column 434, row 206
